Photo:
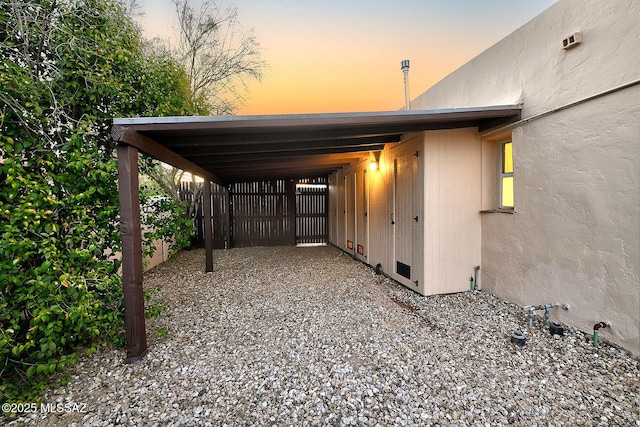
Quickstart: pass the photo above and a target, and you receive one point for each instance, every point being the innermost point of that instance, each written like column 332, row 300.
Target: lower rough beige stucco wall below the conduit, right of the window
column 575, row 237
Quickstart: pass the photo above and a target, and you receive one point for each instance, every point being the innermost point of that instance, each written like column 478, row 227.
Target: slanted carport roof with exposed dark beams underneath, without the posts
column 228, row 149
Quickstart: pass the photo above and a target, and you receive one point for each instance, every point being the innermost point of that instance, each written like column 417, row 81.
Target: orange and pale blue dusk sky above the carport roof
column 344, row 55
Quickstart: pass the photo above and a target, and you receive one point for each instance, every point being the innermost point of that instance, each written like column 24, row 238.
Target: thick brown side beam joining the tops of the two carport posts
column 148, row 146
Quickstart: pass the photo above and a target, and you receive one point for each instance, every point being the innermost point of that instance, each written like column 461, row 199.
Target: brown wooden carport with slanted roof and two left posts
column 232, row 149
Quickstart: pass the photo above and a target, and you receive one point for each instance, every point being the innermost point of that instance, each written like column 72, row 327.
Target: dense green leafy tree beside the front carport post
column 67, row 67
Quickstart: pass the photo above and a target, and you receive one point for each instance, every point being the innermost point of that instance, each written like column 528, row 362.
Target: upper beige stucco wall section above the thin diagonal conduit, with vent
column 529, row 65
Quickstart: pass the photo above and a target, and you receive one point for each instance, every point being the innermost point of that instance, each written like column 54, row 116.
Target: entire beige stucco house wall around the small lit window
column 575, row 236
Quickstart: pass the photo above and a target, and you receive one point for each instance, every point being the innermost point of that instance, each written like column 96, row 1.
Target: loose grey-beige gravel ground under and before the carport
column 308, row 336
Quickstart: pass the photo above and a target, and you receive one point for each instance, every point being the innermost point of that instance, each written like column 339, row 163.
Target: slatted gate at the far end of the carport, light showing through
column 311, row 211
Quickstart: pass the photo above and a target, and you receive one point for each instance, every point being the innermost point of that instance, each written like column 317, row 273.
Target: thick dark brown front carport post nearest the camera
column 131, row 253
